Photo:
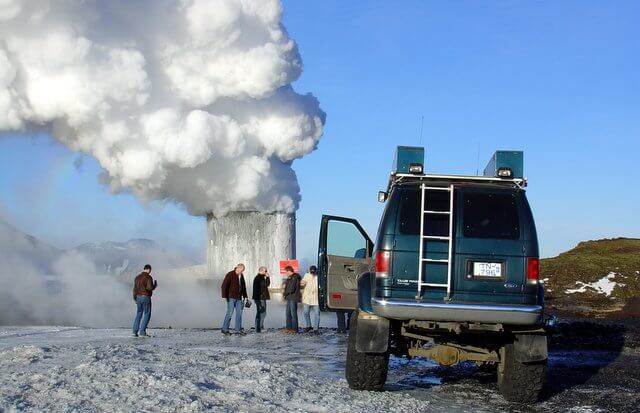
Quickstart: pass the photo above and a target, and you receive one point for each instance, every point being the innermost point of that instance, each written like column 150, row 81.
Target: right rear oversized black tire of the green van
column 520, row 382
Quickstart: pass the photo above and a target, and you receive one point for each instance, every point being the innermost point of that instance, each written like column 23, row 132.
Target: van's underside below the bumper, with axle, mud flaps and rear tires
column 518, row 354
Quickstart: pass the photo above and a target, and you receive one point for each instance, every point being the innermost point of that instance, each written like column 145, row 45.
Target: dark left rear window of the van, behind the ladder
column 436, row 225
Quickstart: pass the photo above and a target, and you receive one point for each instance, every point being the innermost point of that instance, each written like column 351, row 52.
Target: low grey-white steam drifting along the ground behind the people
column 40, row 285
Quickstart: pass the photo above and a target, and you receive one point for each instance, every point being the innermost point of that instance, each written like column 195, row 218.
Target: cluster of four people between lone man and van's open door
column 296, row 289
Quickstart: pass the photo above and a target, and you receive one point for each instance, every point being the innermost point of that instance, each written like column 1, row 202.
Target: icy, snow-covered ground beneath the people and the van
column 80, row 369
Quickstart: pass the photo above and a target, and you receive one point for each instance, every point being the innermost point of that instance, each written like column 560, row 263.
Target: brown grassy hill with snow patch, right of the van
column 596, row 276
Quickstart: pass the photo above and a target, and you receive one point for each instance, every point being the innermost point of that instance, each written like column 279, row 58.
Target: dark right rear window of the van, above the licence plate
column 491, row 216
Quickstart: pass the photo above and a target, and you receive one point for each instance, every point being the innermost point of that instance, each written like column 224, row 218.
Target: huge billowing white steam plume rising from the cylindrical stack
column 188, row 100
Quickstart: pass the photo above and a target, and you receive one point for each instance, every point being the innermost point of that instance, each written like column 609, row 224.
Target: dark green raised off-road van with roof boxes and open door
column 452, row 276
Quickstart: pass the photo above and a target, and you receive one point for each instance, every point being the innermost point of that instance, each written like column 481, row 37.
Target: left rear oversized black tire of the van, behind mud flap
column 365, row 371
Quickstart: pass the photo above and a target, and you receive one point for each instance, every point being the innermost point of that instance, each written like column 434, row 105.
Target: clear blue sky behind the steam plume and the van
column 559, row 80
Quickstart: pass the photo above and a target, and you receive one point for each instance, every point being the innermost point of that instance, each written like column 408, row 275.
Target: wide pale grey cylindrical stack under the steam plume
column 251, row 237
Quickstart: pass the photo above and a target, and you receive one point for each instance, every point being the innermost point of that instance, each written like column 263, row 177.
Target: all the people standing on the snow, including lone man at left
column 296, row 289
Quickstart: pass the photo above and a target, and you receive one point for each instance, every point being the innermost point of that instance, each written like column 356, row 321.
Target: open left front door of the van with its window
column 344, row 252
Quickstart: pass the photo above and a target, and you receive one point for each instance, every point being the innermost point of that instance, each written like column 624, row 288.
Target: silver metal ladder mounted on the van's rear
column 447, row 238
